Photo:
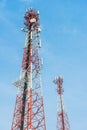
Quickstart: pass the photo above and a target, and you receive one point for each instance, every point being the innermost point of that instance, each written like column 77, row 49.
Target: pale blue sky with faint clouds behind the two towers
column 64, row 49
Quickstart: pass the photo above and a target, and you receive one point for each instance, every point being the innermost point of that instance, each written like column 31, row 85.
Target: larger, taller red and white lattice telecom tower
column 29, row 107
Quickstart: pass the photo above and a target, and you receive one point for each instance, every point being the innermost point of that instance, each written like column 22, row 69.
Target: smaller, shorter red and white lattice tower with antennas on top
column 62, row 118
